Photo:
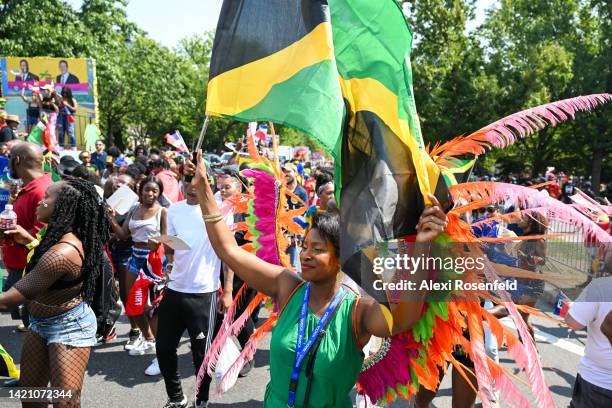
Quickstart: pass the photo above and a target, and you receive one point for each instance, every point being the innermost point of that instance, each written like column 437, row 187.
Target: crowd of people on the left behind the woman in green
column 57, row 222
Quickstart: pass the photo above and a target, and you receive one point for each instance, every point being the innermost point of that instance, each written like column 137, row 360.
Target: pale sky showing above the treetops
column 168, row 22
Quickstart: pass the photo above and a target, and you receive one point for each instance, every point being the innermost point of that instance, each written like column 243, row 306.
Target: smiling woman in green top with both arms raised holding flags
column 323, row 319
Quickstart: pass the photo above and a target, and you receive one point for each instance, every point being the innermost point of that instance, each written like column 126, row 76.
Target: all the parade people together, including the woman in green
column 69, row 241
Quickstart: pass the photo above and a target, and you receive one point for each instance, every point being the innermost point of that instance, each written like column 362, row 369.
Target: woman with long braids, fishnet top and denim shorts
column 59, row 282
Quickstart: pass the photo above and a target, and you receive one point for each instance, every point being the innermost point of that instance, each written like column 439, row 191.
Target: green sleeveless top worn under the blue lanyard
column 337, row 364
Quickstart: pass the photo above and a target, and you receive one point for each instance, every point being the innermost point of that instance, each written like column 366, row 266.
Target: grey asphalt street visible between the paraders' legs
column 115, row 379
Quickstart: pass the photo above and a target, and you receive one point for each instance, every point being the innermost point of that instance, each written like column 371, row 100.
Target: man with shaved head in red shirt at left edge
column 25, row 163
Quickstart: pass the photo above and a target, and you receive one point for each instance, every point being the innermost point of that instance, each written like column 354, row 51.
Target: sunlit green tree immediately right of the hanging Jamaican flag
column 453, row 92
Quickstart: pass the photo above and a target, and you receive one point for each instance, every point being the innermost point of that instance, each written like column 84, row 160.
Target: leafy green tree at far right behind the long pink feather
column 542, row 51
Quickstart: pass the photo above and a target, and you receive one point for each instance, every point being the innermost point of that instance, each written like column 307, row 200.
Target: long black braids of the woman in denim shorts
column 79, row 210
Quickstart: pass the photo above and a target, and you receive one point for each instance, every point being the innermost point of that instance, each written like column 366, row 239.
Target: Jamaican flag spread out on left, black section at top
column 273, row 60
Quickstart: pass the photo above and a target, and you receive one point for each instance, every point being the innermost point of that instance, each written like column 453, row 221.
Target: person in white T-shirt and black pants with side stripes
column 190, row 300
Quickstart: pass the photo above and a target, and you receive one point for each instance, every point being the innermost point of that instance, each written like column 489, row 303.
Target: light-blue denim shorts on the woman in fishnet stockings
column 76, row 327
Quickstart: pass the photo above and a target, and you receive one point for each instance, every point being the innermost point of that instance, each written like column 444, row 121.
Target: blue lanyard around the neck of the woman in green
column 301, row 349
